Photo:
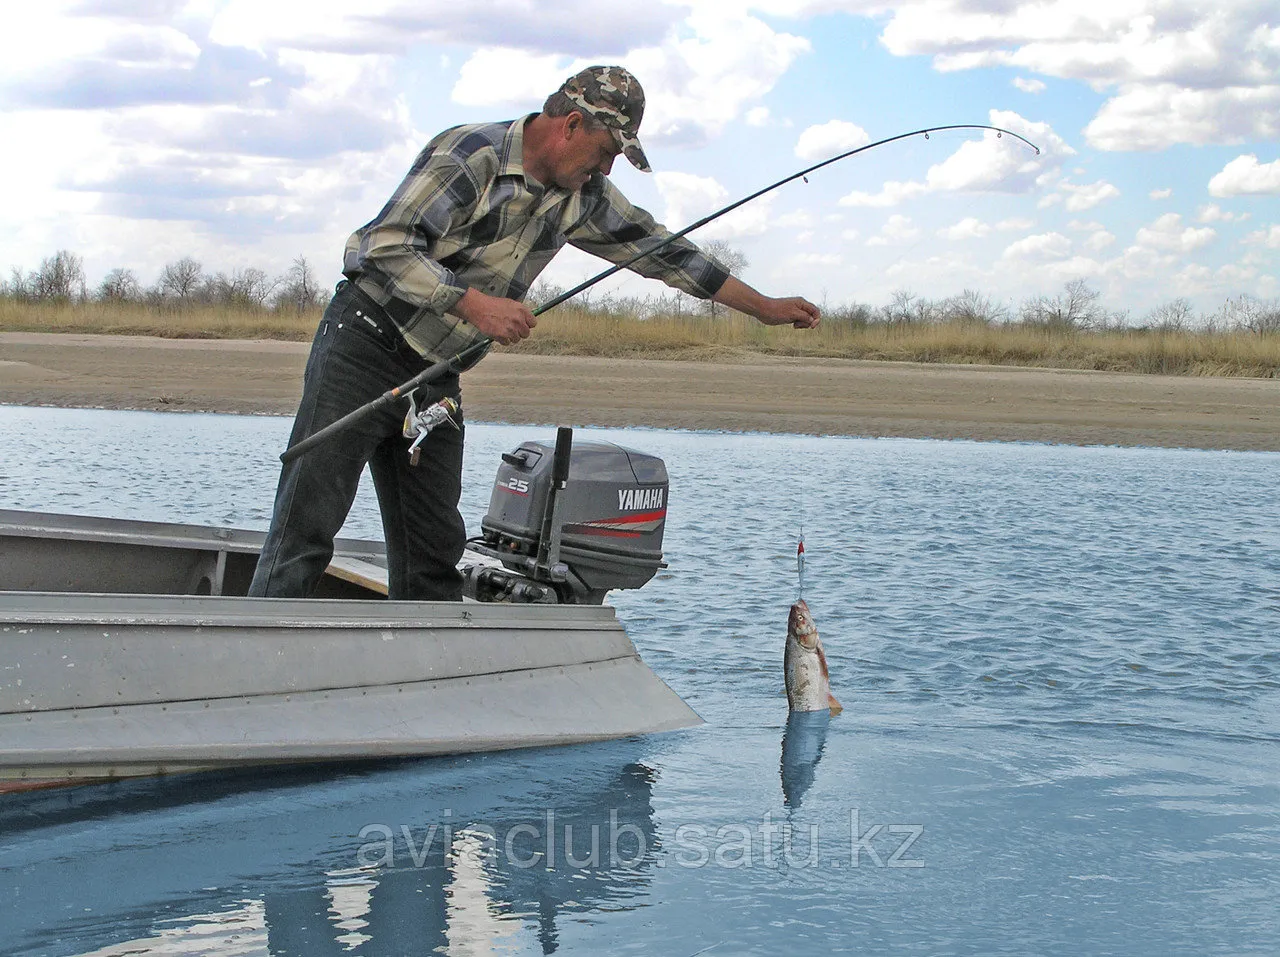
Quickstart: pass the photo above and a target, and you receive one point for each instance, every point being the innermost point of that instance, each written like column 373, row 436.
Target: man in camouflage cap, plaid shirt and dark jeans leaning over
column 446, row 264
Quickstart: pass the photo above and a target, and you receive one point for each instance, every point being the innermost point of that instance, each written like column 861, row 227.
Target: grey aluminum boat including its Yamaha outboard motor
column 130, row 649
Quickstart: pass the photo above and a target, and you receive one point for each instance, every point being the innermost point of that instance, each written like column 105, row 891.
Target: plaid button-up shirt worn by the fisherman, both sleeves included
column 468, row 217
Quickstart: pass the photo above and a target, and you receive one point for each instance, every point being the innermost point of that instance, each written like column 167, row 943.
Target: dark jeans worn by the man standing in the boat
column 359, row 355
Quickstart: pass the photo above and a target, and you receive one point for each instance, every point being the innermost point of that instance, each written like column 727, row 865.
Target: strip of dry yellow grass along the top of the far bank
column 572, row 332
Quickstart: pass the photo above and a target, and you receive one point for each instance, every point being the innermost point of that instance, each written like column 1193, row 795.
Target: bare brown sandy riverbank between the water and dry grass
column 755, row 393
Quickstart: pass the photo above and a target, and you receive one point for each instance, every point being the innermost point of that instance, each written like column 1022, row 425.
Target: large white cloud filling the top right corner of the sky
column 1180, row 71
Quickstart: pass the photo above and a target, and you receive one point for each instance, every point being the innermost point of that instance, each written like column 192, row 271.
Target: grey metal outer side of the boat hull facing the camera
column 100, row 685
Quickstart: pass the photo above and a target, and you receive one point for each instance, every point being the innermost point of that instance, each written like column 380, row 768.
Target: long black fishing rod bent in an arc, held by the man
column 477, row 351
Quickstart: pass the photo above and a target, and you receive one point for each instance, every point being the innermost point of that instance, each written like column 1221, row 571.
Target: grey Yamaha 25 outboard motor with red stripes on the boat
column 570, row 523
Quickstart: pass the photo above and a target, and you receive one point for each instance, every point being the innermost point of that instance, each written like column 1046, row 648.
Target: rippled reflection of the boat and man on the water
column 490, row 871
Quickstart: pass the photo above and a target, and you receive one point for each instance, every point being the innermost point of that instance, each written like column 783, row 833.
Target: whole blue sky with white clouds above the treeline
column 249, row 132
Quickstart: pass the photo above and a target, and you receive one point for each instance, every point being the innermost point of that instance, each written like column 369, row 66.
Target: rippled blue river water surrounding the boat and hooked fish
column 1062, row 731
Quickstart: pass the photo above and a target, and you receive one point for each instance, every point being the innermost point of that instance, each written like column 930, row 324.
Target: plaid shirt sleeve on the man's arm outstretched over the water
column 616, row 231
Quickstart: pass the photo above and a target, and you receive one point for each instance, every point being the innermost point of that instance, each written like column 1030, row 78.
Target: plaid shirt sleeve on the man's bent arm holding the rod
column 395, row 250
